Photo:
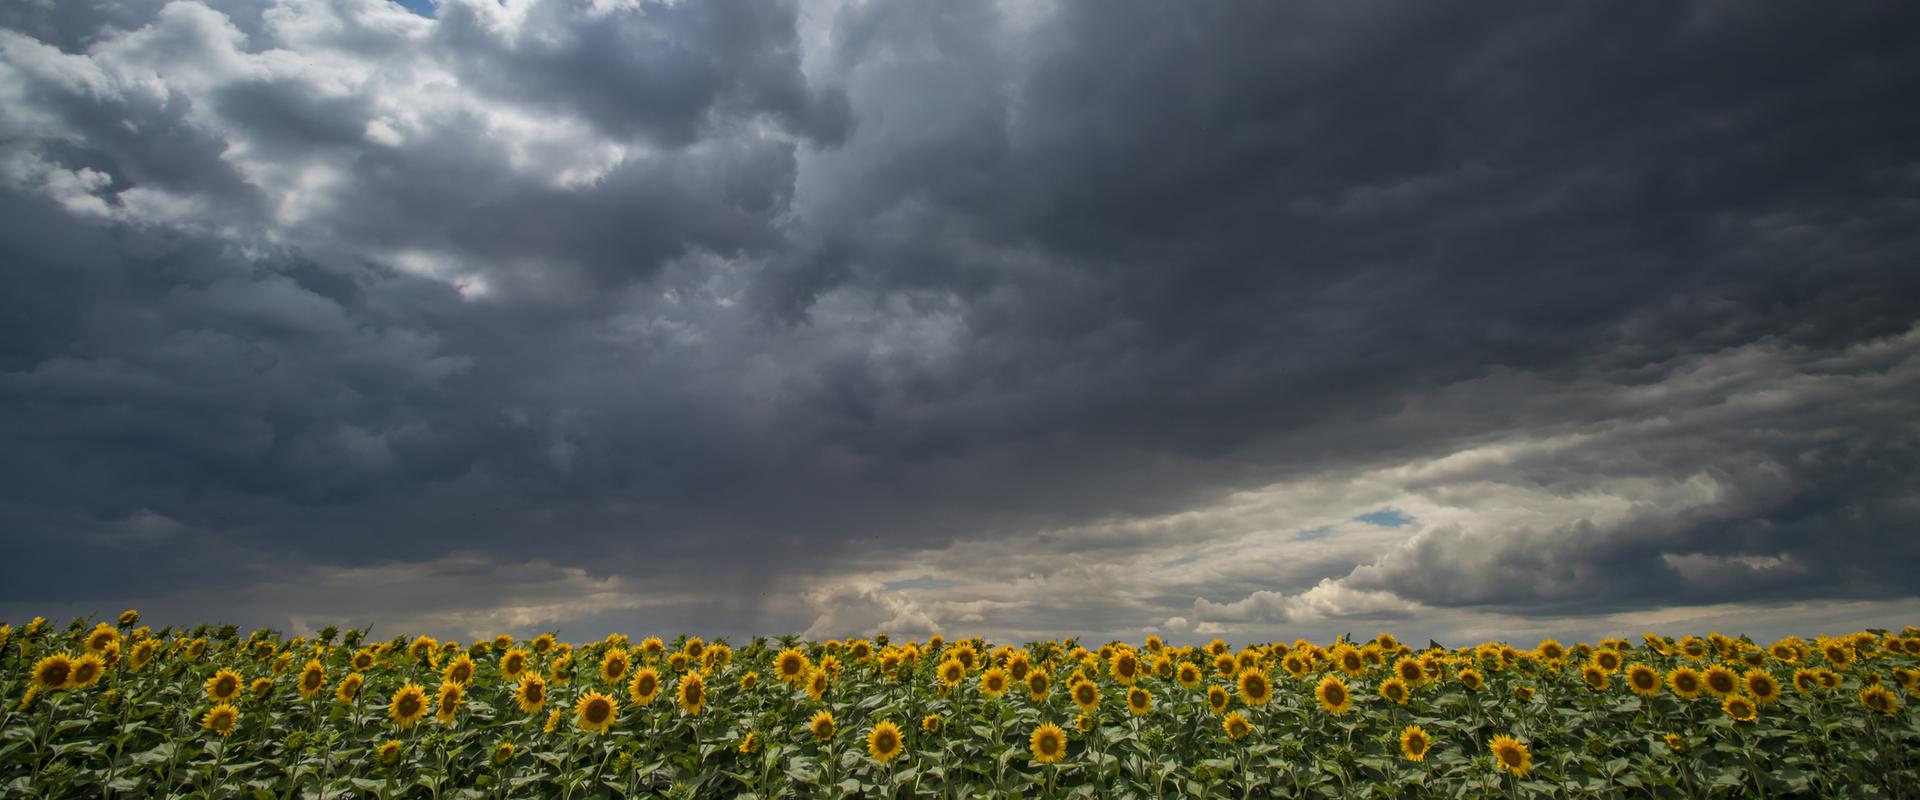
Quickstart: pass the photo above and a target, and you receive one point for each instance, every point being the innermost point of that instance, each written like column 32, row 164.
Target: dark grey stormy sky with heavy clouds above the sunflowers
column 976, row 318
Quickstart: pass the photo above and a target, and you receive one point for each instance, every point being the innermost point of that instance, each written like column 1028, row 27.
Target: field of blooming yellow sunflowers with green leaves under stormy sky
column 116, row 709
